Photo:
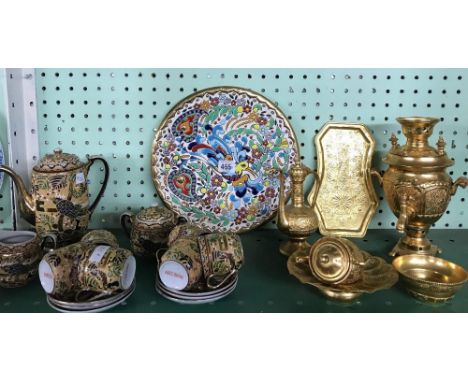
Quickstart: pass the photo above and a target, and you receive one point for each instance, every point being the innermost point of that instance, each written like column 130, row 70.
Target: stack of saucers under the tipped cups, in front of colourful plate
column 196, row 297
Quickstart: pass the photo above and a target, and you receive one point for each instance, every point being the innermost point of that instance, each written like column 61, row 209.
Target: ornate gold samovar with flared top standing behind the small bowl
column 416, row 184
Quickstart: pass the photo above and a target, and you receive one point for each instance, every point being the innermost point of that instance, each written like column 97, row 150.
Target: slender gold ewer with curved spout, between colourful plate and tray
column 297, row 220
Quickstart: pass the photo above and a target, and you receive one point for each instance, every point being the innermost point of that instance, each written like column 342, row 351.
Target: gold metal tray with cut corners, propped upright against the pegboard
column 345, row 199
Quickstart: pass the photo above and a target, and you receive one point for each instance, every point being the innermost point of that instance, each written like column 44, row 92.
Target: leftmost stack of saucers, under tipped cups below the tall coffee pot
column 91, row 304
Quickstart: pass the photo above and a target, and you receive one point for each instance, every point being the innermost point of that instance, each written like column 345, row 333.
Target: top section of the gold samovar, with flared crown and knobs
column 416, row 152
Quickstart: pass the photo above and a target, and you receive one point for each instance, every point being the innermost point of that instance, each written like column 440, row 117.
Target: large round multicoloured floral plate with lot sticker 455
column 217, row 155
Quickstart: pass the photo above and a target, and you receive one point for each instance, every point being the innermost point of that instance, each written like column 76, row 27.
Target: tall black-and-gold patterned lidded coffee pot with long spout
column 58, row 202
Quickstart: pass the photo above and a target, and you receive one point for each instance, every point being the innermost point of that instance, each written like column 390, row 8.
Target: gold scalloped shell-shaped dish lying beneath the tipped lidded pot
column 376, row 275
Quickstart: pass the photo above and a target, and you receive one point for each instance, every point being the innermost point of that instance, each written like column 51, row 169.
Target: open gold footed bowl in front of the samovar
column 429, row 278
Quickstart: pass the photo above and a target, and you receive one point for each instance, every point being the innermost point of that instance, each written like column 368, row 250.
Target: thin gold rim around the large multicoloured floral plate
column 227, row 88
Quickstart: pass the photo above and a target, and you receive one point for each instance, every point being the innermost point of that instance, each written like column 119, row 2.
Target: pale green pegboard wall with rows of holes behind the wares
column 113, row 112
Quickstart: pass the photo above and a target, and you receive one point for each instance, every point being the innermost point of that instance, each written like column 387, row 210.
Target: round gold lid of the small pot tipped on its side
column 330, row 259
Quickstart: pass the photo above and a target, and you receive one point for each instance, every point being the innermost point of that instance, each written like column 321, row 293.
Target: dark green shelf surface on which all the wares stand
column 265, row 285
